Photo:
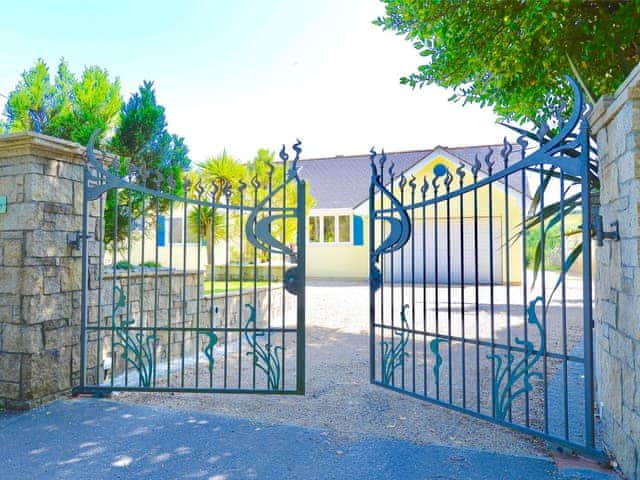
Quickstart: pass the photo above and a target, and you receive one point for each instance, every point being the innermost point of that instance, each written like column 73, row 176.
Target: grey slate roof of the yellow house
column 343, row 181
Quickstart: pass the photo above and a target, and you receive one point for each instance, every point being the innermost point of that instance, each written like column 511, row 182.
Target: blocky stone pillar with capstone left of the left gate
column 40, row 275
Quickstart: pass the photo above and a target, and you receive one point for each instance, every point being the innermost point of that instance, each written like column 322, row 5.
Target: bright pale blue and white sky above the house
column 247, row 74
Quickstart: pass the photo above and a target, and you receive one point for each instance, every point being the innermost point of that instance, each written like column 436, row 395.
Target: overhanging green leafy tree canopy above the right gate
column 512, row 55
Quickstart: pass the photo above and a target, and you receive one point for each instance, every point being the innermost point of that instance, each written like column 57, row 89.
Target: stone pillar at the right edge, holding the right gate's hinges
column 615, row 122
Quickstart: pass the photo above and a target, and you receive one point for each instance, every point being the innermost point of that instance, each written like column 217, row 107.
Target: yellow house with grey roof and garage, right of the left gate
column 338, row 225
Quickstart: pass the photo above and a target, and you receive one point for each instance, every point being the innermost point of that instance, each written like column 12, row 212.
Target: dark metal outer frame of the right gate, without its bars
column 551, row 153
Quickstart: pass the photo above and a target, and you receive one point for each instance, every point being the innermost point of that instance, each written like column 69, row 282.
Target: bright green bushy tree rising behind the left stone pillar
column 68, row 108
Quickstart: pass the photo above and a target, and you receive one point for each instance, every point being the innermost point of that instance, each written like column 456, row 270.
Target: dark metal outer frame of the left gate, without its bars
column 257, row 232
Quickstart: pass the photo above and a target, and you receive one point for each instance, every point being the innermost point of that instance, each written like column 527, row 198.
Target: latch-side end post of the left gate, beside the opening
column 302, row 256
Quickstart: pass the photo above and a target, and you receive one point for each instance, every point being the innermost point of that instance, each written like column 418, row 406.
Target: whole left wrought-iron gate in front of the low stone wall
column 193, row 287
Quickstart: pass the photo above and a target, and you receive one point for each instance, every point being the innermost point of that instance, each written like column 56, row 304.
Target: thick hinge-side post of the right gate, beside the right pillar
column 586, row 285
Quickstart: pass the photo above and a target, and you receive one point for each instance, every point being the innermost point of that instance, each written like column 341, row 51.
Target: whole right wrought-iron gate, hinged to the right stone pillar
column 512, row 345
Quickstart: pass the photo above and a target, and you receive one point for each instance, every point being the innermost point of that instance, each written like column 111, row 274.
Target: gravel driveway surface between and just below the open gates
column 339, row 398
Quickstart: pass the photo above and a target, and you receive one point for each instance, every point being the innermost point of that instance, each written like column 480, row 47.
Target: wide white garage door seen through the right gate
column 424, row 269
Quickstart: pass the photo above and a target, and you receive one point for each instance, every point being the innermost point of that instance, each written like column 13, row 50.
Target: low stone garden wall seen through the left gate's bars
column 170, row 302
